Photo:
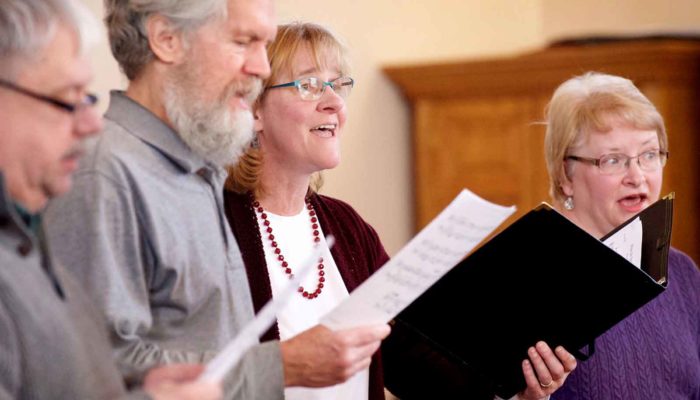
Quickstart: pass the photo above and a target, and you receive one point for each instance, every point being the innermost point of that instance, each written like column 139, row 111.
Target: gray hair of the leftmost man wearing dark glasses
column 27, row 26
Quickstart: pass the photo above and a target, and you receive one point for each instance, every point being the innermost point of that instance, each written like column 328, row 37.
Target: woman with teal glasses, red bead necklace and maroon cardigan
column 278, row 217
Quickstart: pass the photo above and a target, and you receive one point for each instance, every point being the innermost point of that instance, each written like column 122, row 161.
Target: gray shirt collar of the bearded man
column 143, row 124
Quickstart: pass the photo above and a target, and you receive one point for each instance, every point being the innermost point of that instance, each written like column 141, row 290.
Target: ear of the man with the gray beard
column 166, row 43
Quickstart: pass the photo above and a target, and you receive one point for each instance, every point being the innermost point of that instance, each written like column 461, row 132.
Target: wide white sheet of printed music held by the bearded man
column 424, row 260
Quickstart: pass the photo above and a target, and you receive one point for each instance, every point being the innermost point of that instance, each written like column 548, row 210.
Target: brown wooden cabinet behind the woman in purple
column 477, row 124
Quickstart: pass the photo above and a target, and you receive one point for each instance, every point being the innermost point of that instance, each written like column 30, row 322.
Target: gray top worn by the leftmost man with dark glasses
column 52, row 343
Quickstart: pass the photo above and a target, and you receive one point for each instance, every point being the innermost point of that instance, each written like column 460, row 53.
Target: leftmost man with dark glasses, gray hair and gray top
column 52, row 342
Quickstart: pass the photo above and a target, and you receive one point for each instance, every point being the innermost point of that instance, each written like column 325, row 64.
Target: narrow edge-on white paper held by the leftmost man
column 228, row 358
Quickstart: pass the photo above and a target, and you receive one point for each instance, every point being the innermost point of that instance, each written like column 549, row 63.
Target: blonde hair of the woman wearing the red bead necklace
column 291, row 38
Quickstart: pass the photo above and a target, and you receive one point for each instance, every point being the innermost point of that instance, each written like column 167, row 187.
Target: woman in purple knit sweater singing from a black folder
column 606, row 147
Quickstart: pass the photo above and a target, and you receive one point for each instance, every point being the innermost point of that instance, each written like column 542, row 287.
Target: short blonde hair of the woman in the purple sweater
column 592, row 102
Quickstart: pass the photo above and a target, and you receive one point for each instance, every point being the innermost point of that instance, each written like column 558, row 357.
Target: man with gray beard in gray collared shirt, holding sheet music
column 144, row 228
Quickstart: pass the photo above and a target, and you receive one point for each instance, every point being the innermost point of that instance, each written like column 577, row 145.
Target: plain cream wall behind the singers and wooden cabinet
column 375, row 174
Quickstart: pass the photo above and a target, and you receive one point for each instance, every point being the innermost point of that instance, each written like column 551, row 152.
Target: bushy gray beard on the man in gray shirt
column 212, row 131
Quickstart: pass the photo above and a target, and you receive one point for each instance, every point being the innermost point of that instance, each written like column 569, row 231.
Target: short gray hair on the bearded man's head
column 126, row 25
